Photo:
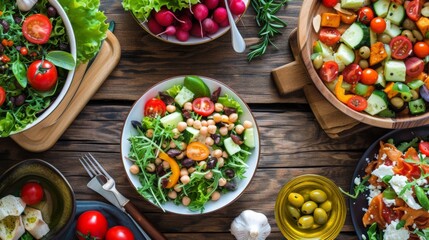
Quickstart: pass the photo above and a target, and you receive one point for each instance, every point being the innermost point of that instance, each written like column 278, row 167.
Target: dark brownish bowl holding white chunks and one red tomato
column 59, row 196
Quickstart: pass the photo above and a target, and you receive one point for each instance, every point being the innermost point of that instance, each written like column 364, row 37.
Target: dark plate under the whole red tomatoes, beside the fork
column 114, row 217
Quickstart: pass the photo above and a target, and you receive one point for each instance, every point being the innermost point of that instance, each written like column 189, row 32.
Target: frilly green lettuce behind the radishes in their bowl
column 142, row 8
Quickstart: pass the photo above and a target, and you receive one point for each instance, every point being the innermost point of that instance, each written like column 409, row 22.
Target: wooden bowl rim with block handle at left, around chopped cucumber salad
column 292, row 72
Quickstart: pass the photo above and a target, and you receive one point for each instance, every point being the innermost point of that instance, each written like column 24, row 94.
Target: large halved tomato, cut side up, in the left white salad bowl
column 37, row 28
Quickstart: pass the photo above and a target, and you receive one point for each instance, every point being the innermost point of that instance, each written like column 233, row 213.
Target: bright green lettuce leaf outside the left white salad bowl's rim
column 89, row 26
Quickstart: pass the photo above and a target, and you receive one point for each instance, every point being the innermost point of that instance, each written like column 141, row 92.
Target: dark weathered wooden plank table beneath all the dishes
column 292, row 141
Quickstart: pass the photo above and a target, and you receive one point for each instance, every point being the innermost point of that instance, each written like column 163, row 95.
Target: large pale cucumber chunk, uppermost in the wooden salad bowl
column 356, row 36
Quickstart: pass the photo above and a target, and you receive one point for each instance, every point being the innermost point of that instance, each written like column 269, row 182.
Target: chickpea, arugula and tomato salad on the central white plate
column 191, row 145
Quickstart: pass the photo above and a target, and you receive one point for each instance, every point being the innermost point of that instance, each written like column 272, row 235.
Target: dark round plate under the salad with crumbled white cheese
column 356, row 205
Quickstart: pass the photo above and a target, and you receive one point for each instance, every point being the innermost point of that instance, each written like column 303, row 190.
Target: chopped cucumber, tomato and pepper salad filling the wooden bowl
column 373, row 55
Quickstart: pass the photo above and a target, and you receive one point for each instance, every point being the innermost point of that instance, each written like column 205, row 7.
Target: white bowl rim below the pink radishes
column 192, row 40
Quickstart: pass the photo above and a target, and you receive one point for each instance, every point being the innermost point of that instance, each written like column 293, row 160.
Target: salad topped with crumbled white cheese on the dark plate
column 395, row 183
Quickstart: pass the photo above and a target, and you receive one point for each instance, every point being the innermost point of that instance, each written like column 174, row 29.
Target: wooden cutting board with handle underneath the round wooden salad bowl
column 293, row 76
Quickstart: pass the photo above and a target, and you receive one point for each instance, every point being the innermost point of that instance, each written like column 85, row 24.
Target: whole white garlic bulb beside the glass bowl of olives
column 250, row 225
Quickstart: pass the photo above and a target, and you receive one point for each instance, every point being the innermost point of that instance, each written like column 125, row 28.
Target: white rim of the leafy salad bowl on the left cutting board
column 70, row 75
